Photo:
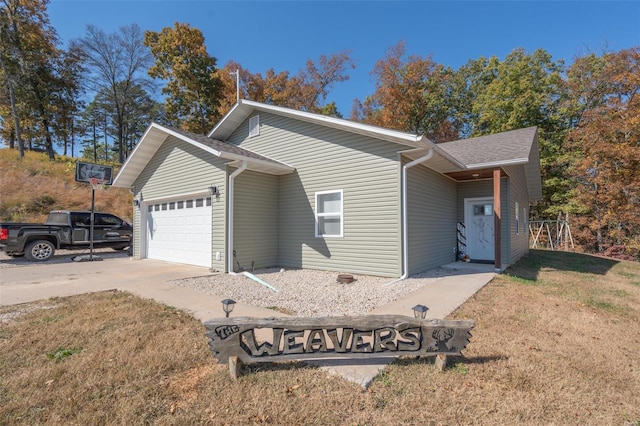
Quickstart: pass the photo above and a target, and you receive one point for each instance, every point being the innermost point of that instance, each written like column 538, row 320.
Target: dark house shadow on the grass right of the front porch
column 530, row 266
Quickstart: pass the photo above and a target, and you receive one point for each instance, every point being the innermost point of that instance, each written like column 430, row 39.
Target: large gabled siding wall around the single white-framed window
column 368, row 173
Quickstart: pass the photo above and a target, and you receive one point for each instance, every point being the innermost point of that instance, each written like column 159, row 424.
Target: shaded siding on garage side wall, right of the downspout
column 255, row 225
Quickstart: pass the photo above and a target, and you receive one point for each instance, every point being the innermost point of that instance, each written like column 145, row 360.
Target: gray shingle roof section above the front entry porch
column 506, row 147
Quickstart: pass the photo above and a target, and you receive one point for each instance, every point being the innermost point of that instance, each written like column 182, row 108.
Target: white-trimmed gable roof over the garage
column 156, row 134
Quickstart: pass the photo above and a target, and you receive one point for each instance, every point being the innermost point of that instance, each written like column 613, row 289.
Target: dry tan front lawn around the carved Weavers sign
column 556, row 342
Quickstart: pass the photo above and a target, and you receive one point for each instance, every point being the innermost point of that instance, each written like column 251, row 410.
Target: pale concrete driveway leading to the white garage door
column 22, row 281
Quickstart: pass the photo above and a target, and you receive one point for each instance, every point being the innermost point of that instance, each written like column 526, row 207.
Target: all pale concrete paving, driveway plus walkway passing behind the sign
column 152, row 279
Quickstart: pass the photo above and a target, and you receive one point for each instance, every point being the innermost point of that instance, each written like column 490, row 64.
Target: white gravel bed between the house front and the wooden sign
column 304, row 292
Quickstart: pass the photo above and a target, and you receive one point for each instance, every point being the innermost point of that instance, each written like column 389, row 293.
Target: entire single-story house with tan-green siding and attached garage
column 276, row 187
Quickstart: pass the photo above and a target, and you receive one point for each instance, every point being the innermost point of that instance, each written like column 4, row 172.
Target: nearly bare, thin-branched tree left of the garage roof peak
column 116, row 64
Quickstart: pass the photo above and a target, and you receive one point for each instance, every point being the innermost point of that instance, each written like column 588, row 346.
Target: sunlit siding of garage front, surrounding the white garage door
column 179, row 168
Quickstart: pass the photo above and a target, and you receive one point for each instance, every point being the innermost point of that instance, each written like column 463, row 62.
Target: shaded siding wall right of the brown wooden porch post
column 517, row 193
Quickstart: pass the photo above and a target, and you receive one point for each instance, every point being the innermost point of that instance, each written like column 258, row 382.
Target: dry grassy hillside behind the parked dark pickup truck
column 34, row 185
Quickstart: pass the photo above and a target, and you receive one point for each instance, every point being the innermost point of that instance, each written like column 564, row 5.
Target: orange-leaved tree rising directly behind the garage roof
column 193, row 88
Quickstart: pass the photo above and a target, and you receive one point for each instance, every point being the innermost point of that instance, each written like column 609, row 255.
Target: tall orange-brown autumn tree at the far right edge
column 605, row 145
